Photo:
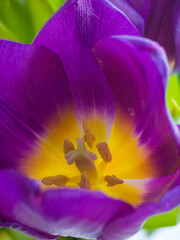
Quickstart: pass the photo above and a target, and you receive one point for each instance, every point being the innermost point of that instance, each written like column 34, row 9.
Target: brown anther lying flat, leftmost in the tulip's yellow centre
column 58, row 180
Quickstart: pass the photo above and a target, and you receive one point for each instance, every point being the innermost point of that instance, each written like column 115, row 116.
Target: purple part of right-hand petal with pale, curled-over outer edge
column 136, row 70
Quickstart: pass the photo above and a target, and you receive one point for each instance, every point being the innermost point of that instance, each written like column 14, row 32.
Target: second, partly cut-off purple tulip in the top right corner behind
column 157, row 20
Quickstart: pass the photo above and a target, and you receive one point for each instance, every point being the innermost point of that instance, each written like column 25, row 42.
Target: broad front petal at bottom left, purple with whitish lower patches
column 68, row 212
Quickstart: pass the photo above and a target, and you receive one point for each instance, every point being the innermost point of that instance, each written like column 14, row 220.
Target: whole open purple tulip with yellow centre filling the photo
column 87, row 146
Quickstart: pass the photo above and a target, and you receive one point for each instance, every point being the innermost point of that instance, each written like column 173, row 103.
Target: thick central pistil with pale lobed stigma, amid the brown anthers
column 83, row 159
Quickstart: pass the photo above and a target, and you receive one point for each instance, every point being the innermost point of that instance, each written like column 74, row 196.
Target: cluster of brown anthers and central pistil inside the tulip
column 90, row 174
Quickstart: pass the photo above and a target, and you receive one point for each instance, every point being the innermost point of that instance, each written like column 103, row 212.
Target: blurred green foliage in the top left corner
column 20, row 20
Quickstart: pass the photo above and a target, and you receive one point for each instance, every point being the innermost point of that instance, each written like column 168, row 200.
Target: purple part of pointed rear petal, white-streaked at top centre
column 71, row 33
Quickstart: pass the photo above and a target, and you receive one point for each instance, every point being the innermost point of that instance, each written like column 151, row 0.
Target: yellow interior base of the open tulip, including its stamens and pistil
column 84, row 155
